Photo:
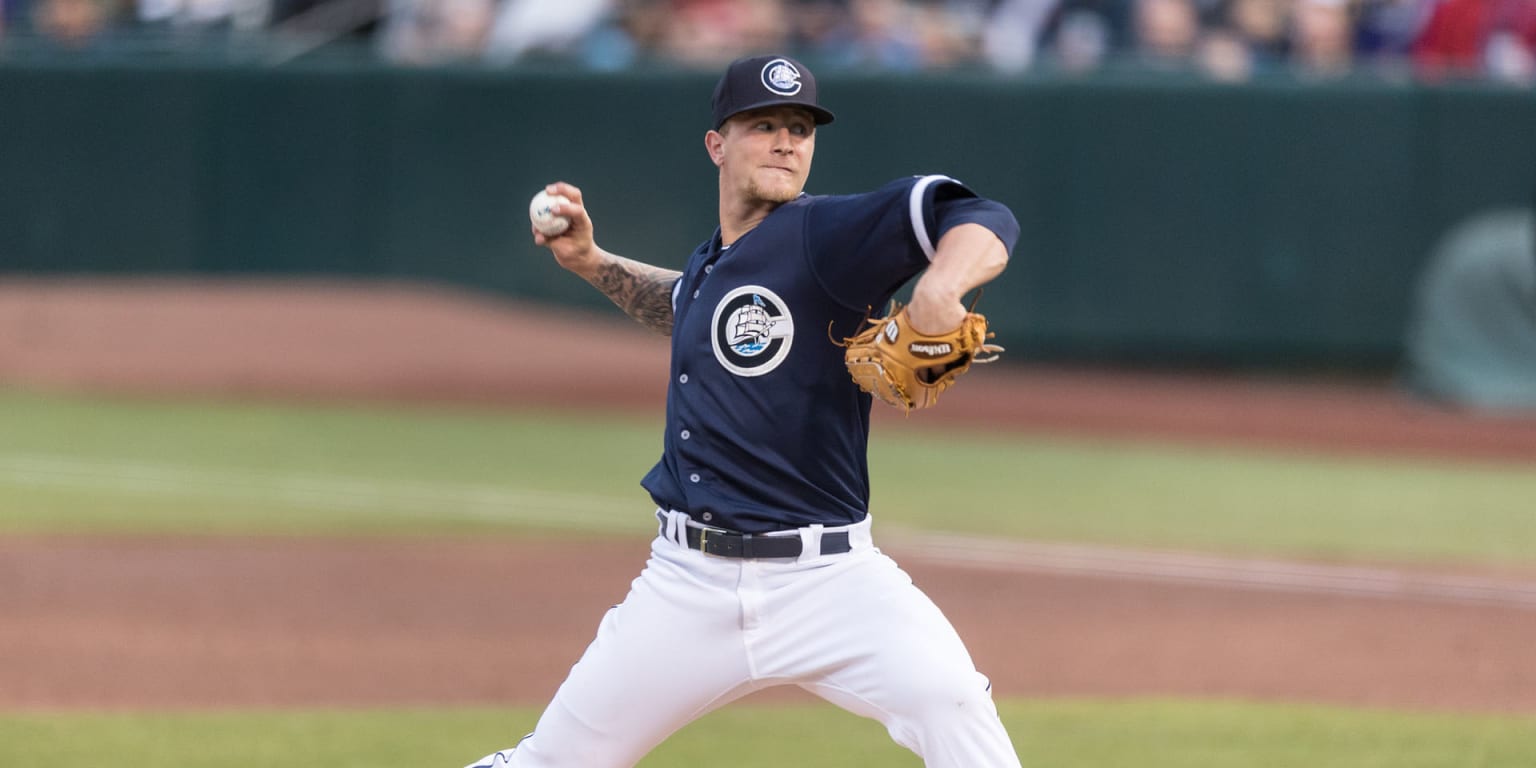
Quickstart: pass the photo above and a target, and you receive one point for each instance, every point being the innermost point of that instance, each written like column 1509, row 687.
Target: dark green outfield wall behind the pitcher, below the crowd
column 1277, row 223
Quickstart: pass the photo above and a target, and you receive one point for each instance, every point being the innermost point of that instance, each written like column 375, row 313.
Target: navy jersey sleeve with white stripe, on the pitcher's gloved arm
column 864, row 248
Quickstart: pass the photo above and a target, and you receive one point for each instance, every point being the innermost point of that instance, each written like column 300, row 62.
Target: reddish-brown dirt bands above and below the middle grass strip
column 280, row 623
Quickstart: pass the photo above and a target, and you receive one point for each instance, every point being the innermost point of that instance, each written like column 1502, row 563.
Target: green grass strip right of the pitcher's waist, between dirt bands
column 1226, row 502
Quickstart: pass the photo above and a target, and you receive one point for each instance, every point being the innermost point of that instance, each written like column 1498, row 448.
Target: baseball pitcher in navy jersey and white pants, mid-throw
column 764, row 571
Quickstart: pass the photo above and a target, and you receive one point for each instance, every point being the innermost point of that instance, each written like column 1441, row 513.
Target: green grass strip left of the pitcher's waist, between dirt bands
column 219, row 468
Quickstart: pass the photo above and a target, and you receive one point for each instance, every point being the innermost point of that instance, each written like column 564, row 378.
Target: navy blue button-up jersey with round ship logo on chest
column 766, row 431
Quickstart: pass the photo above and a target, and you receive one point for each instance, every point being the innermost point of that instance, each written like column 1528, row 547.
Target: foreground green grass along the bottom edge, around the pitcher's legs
column 1056, row 733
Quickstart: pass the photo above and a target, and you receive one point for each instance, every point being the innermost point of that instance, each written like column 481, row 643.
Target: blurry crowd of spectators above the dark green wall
column 1219, row 39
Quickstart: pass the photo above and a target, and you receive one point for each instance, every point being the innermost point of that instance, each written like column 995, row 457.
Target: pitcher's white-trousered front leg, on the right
column 909, row 669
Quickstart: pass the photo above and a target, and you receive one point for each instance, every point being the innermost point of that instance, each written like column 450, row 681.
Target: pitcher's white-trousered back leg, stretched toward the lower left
column 663, row 658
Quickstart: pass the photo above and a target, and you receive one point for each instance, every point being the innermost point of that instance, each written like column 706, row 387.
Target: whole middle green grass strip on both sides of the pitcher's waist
column 74, row 465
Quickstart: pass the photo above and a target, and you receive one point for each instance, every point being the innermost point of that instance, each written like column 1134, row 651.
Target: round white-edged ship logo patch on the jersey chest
column 752, row 331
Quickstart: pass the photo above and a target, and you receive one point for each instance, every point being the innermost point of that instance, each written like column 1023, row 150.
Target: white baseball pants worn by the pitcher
column 700, row 632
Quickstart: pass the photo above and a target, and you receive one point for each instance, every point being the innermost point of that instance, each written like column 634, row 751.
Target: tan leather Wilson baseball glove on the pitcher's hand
column 910, row 369
